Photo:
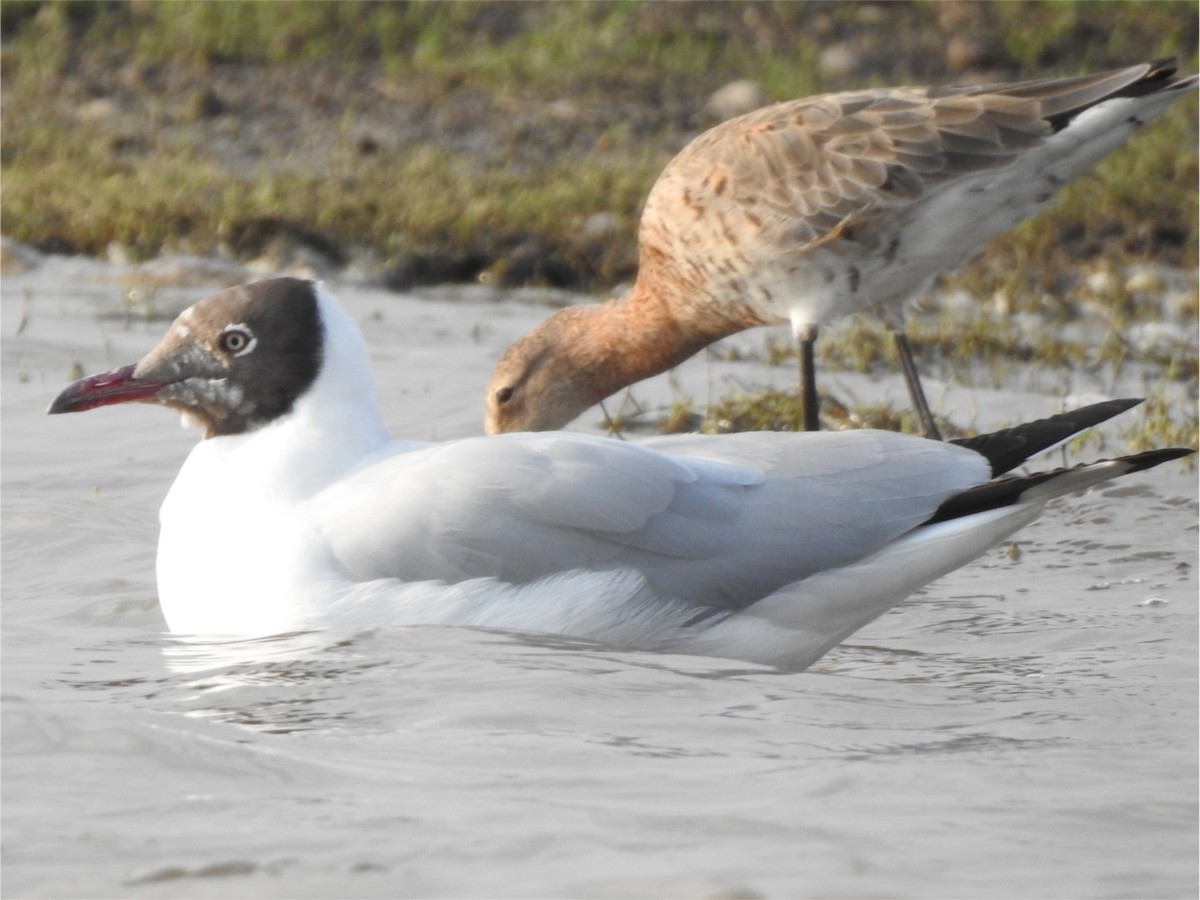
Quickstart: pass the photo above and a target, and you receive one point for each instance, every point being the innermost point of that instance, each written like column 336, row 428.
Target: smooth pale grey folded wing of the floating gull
column 718, row 523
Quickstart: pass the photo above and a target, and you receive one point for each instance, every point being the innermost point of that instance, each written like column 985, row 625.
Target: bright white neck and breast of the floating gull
column 232, row 532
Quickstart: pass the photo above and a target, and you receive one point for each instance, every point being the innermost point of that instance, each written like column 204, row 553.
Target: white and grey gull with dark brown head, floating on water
column 297, row 512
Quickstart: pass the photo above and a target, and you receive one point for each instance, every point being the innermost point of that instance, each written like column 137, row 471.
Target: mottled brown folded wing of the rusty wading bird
column 815, row 163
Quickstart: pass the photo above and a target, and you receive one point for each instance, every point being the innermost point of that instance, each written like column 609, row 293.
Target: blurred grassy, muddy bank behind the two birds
column 446, row 140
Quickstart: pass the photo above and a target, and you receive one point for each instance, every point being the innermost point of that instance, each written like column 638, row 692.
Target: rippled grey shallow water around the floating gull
column 1027, row 727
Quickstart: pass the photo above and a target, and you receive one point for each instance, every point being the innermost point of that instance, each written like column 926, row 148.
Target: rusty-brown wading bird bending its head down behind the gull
column 814, row 209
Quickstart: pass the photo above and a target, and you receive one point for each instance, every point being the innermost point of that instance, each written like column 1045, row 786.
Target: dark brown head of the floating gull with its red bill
column 231, row 364
